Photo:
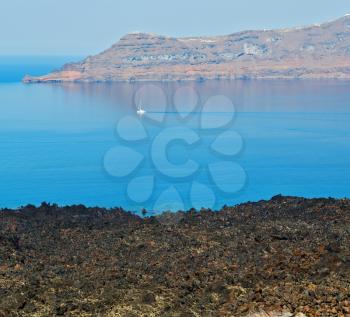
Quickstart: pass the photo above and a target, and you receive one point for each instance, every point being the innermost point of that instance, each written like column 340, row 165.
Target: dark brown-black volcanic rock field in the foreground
column 284, row 257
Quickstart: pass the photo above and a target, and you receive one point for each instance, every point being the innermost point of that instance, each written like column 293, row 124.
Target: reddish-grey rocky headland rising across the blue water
column 318, row 51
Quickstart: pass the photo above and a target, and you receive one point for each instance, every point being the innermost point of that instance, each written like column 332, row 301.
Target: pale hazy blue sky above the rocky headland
column 82, row 27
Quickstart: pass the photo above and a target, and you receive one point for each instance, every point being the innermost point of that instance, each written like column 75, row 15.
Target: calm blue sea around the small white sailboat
column 76, row 143
